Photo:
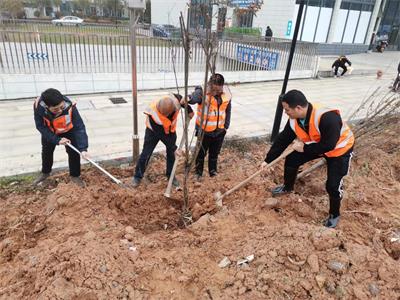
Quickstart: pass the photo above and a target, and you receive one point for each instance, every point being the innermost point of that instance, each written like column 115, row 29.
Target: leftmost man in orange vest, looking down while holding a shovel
column 59, row 123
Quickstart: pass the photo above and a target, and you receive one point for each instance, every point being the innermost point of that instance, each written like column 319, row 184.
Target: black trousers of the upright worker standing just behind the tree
column 213, row 145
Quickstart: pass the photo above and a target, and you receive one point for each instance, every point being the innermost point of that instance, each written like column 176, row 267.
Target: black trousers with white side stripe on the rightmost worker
column 338, row 167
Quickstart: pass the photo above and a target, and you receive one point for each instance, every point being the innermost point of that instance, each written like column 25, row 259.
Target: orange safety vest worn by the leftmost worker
column 62, row 123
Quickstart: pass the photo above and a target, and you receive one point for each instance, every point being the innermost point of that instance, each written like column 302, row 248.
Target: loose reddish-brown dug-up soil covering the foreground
column 106, row 242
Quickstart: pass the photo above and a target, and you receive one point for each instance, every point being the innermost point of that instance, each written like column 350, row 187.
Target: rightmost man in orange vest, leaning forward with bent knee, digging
column 320, row 132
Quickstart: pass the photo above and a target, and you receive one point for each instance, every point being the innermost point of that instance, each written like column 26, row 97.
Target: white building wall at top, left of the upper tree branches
column 162, row 10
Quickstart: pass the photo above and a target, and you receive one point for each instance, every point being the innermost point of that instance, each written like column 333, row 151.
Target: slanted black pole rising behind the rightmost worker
column 279, row 108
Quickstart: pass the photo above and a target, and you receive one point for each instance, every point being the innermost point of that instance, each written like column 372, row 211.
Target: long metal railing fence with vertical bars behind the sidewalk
column 52, row 52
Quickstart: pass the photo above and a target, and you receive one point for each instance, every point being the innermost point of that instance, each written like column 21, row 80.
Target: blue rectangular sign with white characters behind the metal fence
column 267, row 60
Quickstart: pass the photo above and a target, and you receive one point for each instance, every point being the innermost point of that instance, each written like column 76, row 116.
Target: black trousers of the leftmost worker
column 74, row 159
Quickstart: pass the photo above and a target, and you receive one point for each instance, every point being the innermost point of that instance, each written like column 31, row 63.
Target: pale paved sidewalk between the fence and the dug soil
column 109, row 126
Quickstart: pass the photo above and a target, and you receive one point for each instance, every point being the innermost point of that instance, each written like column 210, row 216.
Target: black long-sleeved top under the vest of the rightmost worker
column 329, row 126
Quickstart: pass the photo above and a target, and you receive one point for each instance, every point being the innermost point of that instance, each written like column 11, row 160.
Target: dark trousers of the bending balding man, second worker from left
column 151, row 140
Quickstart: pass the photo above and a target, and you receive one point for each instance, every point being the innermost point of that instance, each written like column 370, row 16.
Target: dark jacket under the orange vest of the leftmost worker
column 79, row 130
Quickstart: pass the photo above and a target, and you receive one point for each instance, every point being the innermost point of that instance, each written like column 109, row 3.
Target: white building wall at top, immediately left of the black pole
column 276, row 14
